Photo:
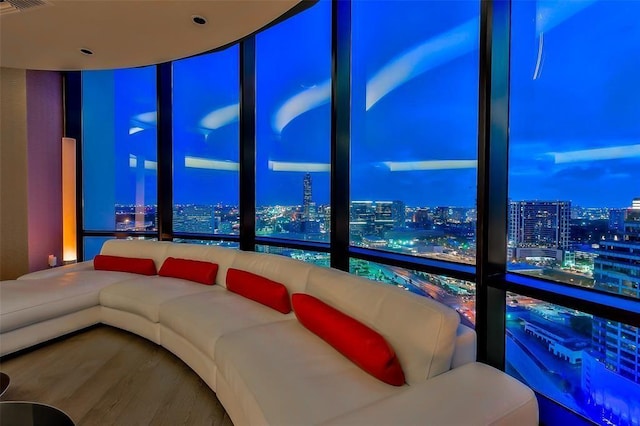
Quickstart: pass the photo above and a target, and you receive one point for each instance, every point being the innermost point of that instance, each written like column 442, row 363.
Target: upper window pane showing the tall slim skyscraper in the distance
column 293, row 141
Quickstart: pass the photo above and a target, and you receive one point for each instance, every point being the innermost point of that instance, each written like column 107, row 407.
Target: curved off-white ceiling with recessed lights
column 48, row 34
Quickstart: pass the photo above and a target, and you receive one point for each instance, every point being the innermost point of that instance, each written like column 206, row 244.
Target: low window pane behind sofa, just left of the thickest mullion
column 458, row 294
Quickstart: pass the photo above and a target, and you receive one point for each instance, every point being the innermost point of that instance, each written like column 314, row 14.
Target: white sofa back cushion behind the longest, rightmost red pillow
column 421, row 331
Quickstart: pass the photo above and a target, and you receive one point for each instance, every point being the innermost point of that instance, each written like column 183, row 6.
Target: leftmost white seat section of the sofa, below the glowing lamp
column 25, row 302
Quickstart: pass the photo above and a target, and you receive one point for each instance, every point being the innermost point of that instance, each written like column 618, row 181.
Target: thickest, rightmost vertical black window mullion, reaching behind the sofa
column 493, row 125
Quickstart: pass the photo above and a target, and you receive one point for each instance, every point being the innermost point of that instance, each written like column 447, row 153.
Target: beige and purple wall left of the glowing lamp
column 30, row 170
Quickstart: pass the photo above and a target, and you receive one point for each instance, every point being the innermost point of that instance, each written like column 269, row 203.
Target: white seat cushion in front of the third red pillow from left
column 202, row 318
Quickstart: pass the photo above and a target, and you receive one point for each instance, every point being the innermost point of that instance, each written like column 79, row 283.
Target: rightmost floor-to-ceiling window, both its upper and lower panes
column 574, row 214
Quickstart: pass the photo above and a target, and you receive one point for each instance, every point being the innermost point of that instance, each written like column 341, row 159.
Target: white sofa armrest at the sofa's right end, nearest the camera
column 473, row 394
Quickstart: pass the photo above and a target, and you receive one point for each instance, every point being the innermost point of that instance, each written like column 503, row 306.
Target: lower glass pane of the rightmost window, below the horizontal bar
column 576, row 359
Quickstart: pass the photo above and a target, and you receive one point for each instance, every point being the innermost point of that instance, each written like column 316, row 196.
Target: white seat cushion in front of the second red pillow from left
column 144, row 295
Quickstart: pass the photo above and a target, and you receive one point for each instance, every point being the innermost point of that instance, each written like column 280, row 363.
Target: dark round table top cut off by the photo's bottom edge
column 26, row 413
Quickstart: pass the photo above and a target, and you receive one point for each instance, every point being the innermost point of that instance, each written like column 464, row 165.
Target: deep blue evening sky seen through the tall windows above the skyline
column 574, row 112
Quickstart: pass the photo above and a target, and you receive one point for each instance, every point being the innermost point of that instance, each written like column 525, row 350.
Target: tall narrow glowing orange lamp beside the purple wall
column 69, row 238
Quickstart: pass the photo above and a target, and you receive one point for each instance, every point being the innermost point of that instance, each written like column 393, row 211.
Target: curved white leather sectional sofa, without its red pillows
column 265, row 366
